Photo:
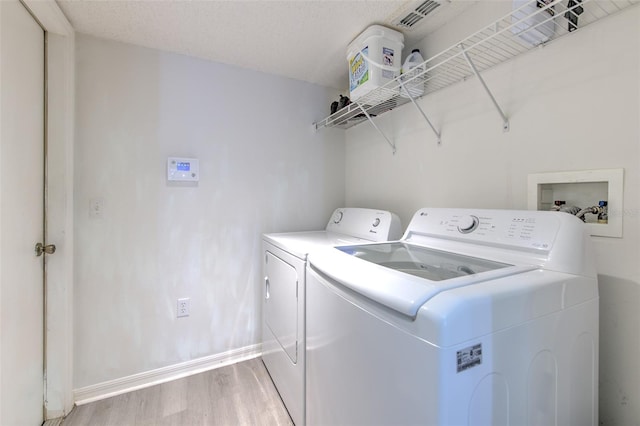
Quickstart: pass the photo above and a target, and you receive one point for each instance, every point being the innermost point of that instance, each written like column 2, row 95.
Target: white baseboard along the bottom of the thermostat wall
column 165, row 374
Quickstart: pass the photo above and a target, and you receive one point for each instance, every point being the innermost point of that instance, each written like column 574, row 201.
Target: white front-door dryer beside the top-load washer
column 285, row 258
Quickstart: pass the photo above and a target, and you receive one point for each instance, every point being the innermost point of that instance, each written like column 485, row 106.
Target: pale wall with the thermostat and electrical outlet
column 263, row 169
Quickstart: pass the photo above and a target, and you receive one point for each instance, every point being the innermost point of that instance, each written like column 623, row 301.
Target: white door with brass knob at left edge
column 21, row 215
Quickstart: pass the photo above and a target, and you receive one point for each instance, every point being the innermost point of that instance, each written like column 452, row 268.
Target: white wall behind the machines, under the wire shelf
column 573, row 105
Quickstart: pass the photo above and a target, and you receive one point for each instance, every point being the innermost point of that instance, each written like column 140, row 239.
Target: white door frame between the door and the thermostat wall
column 60, row 99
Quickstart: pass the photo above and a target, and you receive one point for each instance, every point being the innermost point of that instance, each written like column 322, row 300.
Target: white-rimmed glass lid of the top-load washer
column 404, row 276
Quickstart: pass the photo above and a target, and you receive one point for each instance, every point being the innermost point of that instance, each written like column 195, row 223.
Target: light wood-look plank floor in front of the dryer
column 240, row 394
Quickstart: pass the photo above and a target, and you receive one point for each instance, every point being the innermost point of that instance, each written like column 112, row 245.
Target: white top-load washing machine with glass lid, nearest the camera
column 475, row 317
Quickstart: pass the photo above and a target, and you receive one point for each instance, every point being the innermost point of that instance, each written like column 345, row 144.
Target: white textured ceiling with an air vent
column 301, row 39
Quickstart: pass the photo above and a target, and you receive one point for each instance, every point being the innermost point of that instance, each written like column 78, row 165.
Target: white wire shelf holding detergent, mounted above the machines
column 533, row 23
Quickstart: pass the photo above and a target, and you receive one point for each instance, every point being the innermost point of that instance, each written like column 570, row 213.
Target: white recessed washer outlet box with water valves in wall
column 583, row 189
